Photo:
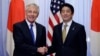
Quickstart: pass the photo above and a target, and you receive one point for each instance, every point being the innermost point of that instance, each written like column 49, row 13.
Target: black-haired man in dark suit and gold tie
column 69, row 37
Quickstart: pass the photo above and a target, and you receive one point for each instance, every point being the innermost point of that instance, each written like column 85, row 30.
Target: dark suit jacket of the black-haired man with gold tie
column 75, row 43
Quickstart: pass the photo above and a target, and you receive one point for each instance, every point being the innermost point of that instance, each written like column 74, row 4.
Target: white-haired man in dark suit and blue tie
column 29, row 36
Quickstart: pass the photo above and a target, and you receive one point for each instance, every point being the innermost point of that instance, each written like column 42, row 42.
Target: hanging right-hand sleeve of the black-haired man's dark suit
column 82, row 41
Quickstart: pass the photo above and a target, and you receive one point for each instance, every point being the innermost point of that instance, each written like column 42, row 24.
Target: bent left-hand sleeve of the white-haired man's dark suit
column 19, row 41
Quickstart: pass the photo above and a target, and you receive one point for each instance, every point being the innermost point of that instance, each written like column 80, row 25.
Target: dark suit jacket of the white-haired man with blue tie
column 23, row 40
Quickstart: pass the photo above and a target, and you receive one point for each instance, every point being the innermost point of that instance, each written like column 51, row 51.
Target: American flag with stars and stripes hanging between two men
column 54, row 18
